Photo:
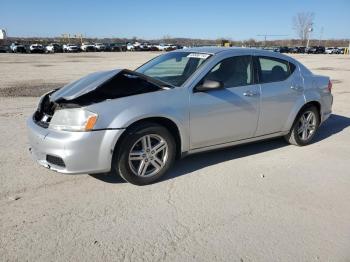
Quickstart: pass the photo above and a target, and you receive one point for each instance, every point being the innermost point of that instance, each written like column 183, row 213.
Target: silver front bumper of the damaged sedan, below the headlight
column 80, row 152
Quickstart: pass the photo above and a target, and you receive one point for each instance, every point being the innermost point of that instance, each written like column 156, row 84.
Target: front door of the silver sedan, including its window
column 225, row 114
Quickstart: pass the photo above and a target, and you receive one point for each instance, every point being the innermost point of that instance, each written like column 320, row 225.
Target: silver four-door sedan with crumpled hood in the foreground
column 182, row 102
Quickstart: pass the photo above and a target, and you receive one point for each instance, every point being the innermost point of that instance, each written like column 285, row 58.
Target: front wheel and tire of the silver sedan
column 141, row 167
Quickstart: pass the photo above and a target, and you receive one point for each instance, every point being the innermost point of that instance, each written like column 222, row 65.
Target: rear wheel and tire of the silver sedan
column 304, row 130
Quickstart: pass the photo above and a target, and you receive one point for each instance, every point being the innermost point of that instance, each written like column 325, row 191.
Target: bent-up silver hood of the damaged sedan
column 83, row 85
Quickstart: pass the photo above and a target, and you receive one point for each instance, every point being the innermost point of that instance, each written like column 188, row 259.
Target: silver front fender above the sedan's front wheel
column 122, row 112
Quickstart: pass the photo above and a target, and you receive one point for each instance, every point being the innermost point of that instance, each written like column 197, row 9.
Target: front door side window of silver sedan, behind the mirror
column 233, row 71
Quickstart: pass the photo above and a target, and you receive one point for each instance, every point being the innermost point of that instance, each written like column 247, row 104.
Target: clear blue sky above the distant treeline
column 236, row 20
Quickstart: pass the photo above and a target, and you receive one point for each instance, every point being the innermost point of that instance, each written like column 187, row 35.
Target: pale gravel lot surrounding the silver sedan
column 266, row 201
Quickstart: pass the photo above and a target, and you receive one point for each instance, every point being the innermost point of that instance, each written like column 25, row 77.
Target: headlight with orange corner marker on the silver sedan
column 75, row 119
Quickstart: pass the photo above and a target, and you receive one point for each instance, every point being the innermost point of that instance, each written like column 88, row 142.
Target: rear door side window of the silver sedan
column 274, row 69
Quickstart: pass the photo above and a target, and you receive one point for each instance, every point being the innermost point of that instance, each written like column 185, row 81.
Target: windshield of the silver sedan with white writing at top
column 173, row 68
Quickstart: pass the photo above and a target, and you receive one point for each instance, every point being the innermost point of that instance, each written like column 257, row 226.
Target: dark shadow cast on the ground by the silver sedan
column 334, row 125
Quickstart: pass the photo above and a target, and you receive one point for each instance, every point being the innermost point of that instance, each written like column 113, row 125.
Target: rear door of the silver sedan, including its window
column 281, row 86
